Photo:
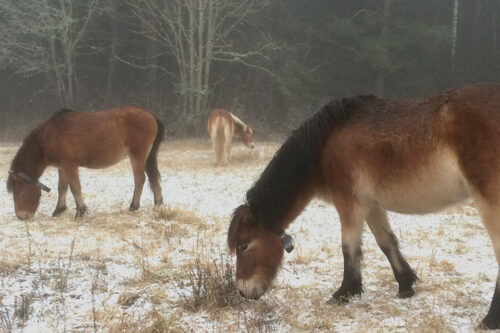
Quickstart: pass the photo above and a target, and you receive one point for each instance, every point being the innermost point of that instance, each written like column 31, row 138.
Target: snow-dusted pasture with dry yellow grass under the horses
column 168, row 270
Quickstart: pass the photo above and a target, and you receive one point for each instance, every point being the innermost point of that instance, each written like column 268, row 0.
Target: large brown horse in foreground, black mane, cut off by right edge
column 368, row 156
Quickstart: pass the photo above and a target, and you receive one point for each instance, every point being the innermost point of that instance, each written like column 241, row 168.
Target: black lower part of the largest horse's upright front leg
column 351, row 284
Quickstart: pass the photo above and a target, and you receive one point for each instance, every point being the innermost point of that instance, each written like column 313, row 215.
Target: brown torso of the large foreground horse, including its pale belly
column 416, row 155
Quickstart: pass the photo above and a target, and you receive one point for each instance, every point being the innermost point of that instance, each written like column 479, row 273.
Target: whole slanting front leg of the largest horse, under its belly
column 379, row 225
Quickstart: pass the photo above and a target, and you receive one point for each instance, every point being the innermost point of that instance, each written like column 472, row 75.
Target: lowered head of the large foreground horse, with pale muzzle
column 259, row 252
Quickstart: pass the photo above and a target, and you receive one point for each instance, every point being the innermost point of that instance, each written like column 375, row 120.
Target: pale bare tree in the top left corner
column 43, row 36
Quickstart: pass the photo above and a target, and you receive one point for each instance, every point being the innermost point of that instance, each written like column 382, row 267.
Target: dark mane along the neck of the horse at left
column 31, row 148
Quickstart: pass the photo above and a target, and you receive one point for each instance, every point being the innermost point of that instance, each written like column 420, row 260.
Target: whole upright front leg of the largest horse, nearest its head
column 351, row 222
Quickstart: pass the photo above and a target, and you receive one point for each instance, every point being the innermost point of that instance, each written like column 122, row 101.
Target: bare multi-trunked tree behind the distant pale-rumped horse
column 197, row 33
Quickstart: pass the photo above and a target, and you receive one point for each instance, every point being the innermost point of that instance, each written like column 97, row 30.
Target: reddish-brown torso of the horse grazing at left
column 100, row 138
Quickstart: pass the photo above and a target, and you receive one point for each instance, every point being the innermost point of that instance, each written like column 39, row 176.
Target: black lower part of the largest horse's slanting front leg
column 403, row 273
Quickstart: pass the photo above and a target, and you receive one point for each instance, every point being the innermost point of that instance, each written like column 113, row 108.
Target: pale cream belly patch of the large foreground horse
column 428, row 189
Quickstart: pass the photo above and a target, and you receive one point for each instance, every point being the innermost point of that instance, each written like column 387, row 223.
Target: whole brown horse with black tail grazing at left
column 94, row 140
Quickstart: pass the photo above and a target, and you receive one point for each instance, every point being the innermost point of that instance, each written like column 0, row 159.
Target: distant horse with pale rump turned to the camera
column 222, row 125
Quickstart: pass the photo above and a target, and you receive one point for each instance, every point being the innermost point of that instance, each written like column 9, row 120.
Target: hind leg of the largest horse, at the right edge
column 490, row 215
